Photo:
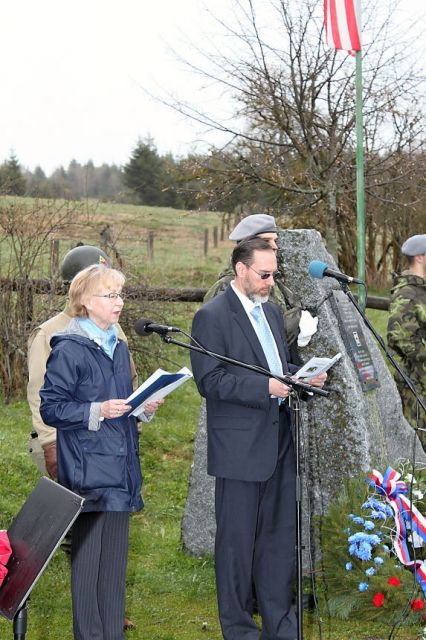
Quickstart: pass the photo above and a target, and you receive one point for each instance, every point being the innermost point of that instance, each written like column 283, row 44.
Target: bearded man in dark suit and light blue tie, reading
column 250, row 448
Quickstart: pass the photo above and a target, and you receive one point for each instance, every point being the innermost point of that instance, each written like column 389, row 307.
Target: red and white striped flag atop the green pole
column 342, row 24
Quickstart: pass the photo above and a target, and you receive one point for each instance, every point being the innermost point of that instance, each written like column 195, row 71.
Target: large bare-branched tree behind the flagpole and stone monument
column 292, row 134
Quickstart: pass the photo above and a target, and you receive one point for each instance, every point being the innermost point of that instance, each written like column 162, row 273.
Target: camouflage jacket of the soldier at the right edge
column 407, row 325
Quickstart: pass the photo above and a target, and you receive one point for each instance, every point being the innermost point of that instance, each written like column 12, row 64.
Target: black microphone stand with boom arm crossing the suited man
column 294, row 398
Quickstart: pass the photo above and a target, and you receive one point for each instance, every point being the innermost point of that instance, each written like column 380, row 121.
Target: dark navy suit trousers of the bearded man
column 255, row 542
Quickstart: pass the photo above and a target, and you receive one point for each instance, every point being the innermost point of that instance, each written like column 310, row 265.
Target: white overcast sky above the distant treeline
column 72, row 74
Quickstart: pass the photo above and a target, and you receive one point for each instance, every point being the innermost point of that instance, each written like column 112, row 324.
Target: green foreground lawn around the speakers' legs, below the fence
column 170, row 595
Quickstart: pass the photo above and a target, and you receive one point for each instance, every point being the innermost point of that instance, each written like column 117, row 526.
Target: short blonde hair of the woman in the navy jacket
column 91, row 281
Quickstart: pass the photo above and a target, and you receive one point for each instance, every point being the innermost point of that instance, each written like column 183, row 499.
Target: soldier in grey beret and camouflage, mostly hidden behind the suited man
column 263, row 226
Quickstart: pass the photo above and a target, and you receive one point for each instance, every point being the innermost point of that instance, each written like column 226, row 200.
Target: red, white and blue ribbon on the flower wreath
column 406, row 516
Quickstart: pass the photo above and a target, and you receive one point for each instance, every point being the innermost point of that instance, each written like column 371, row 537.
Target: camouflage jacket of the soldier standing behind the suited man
column 281, row 295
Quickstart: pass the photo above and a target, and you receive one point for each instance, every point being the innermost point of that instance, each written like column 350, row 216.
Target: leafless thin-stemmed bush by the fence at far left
column 26, row 229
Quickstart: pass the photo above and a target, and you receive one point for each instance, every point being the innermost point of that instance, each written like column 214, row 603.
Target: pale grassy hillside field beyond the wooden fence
column 178, row 242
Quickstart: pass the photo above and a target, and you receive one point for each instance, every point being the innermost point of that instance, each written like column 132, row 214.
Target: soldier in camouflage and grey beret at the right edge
column 407, row 329
